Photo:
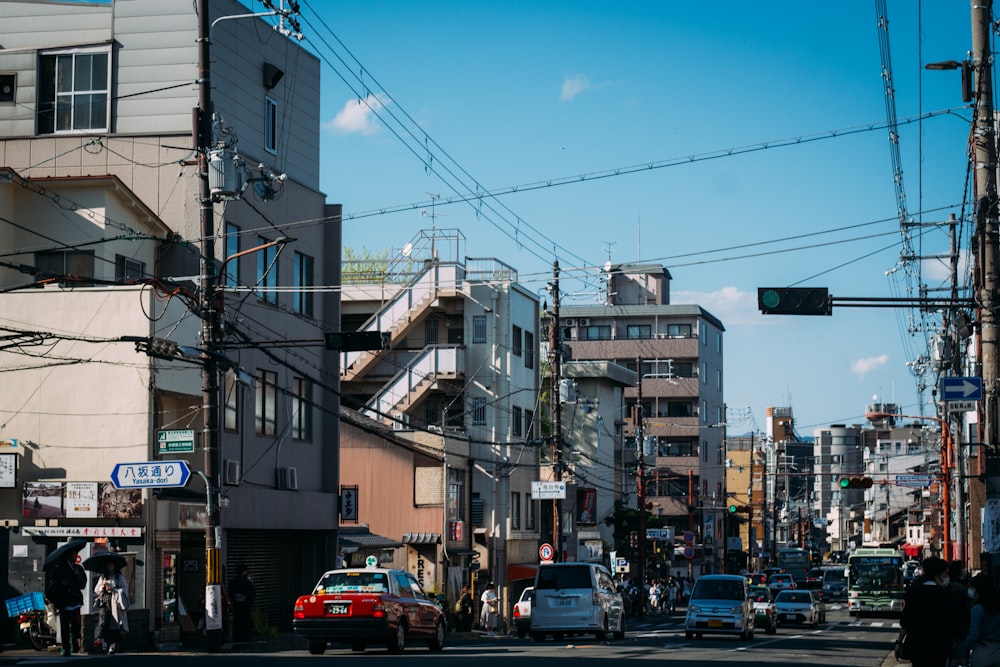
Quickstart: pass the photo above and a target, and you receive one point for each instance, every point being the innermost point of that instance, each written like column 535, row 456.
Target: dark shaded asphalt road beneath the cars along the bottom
column 841, row 642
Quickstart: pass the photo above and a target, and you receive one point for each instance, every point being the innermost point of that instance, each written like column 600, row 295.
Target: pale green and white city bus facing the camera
column 875, row 581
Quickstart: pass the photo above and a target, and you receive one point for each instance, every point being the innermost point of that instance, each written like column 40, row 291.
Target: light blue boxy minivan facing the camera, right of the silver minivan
column 720, row 604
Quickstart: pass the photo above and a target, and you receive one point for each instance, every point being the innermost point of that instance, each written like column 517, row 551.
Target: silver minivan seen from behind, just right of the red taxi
column 575, row 599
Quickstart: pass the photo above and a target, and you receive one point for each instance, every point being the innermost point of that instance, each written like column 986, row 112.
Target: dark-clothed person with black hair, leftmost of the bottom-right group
column 929, row 622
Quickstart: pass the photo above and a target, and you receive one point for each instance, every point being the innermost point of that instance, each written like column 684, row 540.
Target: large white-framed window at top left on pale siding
column 73, row 90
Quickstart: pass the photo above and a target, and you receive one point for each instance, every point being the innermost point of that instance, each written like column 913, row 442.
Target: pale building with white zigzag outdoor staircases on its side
column 461, row 356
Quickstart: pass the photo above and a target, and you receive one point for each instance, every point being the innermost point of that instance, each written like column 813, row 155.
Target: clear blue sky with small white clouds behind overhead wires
column 753, row 117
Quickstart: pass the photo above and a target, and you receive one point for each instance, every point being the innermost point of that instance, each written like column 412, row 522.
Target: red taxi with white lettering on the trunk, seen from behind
column 362, row 606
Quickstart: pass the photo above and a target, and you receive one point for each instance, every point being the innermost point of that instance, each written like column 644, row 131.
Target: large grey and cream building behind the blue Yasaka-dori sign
column 102, row 205
